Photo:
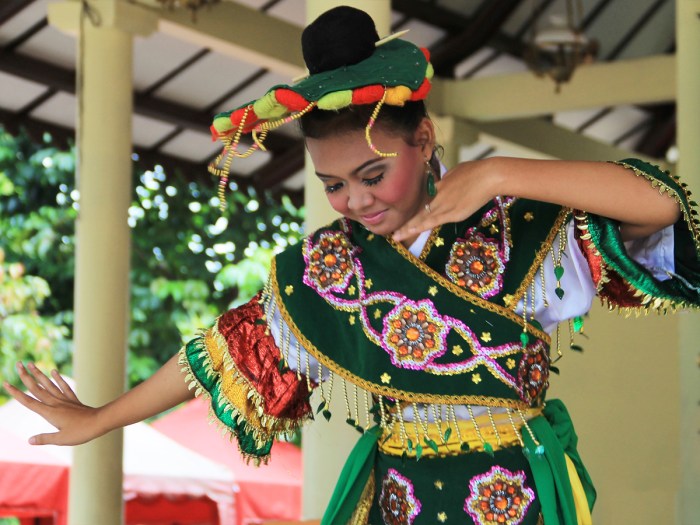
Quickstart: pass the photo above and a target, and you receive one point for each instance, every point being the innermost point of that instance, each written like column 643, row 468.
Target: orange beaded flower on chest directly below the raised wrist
column 476, row 264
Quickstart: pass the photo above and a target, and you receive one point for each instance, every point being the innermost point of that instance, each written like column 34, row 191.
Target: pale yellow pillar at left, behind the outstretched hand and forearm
column 102, row 242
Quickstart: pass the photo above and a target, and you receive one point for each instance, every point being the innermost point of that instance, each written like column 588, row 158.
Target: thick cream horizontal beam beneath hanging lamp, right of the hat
column 523, row 95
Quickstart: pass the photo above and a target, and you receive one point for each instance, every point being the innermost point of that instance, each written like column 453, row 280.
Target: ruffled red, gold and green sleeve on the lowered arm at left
column 239, row 366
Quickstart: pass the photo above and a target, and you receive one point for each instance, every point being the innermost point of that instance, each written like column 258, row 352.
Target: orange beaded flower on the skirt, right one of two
column 498, row 497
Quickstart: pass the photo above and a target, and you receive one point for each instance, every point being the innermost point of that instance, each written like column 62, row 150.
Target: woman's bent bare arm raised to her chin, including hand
column 601, row 188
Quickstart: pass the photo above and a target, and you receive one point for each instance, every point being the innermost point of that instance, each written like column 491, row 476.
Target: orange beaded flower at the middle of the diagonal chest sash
column 414, row 334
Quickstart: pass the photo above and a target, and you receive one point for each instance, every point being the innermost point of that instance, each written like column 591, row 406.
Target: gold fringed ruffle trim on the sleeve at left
column 236, row 394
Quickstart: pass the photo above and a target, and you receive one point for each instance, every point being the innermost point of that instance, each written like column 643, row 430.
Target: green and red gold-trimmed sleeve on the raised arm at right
column 659, row 273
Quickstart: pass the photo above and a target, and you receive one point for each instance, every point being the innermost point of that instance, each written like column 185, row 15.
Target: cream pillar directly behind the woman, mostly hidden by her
column 327, row 444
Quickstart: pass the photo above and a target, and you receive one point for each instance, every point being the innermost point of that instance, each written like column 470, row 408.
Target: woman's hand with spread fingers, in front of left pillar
column 56, row 402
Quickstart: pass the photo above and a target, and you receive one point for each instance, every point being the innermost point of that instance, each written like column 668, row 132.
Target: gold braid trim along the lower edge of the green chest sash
column 380, row 389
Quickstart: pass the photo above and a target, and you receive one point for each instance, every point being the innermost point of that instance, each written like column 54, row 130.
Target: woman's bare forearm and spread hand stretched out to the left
column 77, row 423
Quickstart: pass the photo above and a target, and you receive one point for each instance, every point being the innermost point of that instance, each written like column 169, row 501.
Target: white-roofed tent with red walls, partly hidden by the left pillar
column 164, row 482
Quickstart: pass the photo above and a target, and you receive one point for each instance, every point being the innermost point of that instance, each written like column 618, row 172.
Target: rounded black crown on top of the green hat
column 340, row 37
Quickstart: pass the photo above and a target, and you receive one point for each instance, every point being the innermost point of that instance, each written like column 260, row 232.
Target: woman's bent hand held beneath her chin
column 461, row 192
